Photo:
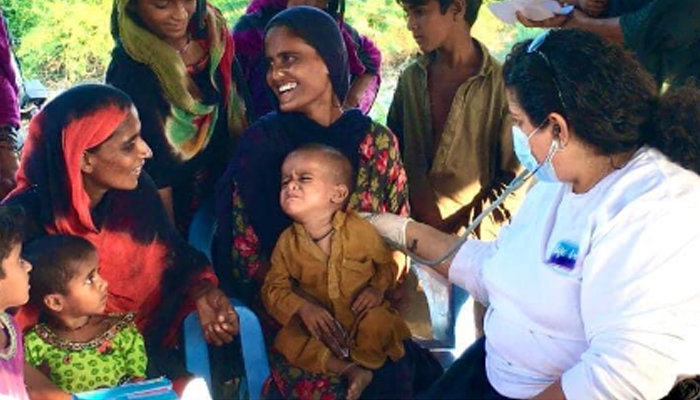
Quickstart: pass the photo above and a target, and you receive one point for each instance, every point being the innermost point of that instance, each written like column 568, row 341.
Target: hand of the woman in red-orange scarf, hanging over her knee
column 218, row 319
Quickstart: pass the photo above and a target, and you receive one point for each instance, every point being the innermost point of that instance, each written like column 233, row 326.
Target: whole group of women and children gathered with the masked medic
column 583, row 279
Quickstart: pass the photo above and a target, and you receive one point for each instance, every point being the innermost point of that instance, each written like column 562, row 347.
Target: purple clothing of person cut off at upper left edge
column 9, row 107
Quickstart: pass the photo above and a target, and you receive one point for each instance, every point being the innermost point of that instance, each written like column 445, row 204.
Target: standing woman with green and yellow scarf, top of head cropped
column 175, row 59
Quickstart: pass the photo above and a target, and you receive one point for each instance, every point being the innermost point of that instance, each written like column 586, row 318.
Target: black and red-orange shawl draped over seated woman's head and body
column 148, row 265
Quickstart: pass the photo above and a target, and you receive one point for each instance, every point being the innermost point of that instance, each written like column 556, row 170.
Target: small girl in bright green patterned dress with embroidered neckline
column 78, row 346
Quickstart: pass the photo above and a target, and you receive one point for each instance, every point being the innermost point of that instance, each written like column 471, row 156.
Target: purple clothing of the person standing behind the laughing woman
column 249, row 35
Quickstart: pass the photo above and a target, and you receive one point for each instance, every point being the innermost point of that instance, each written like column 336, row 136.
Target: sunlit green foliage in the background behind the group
column 63, row 42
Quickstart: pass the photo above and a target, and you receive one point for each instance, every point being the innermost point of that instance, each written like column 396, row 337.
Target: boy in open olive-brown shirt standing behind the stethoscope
column 451, row 117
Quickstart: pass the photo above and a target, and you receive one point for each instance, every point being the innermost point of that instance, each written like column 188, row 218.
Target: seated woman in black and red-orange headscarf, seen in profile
column 82, row 175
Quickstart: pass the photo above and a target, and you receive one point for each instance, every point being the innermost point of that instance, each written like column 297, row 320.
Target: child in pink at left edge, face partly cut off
column 14, row 291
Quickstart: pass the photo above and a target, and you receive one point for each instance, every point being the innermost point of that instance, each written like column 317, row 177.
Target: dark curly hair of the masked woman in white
column 611, row 102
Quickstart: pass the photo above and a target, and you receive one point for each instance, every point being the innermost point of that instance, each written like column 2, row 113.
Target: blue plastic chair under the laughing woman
column 201, row 236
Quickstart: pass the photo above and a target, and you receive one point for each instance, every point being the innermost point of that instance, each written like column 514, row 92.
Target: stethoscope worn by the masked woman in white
column 514, row 185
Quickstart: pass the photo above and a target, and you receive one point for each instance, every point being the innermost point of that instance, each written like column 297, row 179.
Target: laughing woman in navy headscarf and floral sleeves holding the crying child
column 308, row 74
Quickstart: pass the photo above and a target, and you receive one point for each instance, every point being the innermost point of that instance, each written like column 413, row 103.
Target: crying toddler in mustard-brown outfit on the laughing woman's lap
column 329, row 274
